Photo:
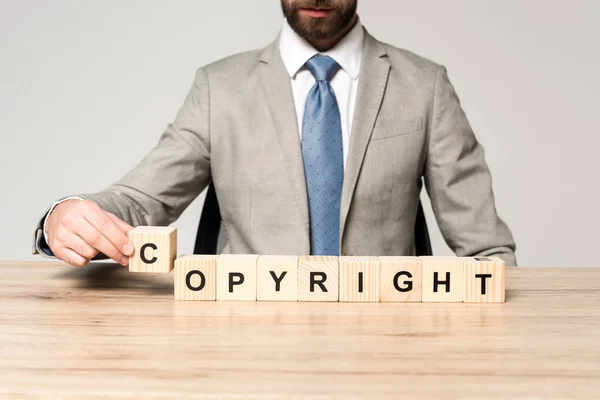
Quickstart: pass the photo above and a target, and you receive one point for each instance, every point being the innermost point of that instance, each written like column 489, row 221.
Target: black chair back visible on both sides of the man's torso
column 212, row 236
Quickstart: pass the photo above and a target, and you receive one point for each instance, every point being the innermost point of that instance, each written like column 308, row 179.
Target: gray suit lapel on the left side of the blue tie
column 278, row 90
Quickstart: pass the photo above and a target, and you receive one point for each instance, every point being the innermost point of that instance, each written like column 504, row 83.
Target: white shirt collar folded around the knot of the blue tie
column 295, row 51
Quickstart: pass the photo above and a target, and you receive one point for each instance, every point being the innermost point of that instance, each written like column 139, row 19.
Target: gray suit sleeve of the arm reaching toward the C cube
column 158, row 189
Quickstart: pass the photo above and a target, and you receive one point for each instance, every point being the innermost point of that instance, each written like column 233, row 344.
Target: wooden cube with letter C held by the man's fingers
column 155, row 249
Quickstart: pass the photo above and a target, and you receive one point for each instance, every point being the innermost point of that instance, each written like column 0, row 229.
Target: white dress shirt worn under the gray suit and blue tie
column 295, row 52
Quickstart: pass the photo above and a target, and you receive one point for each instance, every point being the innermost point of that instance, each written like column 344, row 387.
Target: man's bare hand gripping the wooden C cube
column 79, row 229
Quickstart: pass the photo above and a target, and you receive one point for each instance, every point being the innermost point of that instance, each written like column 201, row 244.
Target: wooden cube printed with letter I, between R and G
column 359, row 279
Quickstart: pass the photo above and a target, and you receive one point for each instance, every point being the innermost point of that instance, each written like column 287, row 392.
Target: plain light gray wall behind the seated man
column 86, row 88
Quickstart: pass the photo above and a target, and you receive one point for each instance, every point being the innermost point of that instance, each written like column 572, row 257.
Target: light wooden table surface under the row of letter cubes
column 102, row 332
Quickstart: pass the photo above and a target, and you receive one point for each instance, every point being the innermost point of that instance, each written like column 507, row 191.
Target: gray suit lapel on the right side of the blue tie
column 371, row 88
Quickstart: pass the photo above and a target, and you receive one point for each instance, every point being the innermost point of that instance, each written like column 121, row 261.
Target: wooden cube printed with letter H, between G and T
column 443, row 279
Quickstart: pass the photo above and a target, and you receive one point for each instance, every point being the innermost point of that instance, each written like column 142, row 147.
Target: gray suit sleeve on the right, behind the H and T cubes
column 459, row 182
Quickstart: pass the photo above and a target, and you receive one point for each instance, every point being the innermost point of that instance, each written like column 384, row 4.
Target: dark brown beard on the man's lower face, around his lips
column 311, row 28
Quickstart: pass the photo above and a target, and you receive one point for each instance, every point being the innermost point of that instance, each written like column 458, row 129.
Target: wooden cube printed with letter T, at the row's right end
column 485, row 280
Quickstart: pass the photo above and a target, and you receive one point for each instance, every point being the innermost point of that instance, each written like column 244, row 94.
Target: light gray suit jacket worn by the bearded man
column 238, row 128
